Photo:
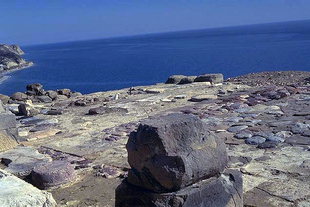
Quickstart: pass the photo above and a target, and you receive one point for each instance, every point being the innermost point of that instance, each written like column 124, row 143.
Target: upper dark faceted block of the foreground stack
column 169, row 152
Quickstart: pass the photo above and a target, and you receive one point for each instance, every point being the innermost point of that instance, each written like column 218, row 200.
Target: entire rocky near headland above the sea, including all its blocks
column 241, row 142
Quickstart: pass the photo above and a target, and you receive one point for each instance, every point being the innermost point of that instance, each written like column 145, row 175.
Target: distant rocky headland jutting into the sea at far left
column 10, row 58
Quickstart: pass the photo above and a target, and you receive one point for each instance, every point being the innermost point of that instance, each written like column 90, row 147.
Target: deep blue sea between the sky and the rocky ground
column 115, row 63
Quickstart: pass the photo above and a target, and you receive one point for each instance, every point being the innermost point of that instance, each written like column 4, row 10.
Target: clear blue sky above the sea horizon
column 28, row 22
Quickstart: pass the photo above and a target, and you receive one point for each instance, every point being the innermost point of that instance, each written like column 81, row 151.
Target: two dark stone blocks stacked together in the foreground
column 176, row 161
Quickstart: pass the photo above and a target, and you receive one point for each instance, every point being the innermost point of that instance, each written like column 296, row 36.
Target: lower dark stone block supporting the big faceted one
column 222, row 191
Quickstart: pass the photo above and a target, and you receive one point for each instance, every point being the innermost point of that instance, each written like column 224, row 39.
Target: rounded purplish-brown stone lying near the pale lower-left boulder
column 52, row 174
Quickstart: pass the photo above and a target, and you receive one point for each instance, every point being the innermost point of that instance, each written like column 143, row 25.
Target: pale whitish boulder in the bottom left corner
column 15, row 192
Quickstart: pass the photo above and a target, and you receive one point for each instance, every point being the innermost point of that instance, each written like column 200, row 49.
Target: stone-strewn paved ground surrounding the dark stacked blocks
column 266, row 130
